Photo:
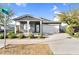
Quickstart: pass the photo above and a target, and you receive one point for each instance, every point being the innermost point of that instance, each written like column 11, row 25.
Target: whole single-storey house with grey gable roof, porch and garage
column 28, row 23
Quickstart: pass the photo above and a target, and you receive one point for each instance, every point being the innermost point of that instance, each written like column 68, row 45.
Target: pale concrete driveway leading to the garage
column 64, row 44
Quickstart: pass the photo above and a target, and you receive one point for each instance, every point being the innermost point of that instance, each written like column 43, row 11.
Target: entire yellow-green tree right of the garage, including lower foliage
column 71, row 18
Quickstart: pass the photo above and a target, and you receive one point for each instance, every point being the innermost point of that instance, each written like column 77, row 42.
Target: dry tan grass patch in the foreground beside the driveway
column 23, row 49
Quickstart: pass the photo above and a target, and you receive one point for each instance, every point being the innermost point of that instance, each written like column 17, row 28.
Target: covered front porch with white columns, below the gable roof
column 29, row 26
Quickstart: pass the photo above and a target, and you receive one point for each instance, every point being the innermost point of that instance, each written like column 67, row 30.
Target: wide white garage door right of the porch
column 50, row 28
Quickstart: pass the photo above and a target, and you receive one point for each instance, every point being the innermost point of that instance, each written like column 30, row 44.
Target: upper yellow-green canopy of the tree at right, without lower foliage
column 70, row 17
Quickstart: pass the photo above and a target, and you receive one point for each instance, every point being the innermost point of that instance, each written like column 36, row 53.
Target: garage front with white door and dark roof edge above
column 51, row 27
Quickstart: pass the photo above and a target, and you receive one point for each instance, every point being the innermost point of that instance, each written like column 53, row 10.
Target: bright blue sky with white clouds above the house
column 45, row 10
